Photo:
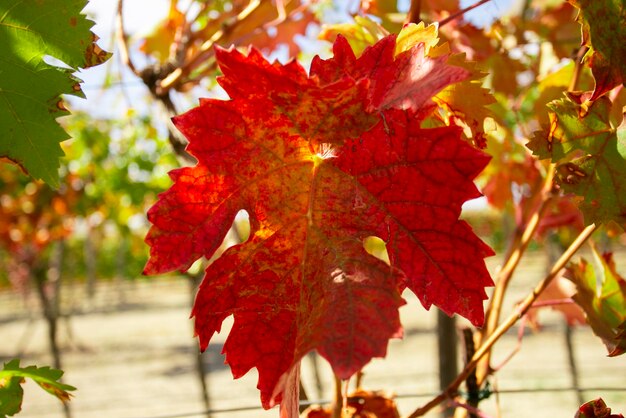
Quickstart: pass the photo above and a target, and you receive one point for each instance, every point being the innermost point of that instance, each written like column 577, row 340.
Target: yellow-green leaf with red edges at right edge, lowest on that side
column 602, row 295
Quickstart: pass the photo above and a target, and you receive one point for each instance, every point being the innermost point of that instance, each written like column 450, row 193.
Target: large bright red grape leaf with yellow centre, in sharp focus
column 321, row 163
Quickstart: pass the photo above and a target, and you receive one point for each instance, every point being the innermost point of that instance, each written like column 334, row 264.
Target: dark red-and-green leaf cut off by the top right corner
column 603, row 31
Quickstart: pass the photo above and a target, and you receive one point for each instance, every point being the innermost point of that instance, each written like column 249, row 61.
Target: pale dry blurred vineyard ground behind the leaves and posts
column 131, row 354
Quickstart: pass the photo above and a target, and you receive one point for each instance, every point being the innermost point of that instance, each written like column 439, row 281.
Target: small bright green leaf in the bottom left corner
column 12, row 376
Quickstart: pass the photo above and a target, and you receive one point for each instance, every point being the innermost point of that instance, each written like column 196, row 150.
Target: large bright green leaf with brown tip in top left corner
column 30, row 88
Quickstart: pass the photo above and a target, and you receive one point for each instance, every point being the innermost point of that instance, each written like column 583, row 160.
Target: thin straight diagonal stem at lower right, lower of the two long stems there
column 526, row 304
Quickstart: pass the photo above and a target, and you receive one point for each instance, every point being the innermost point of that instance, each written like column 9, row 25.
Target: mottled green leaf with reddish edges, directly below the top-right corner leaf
column 590, row 155
